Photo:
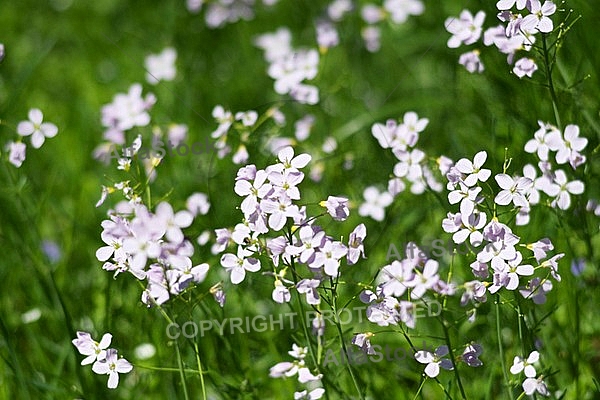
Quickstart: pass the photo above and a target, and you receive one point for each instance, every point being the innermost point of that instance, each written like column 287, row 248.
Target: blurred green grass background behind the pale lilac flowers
column 70, row 57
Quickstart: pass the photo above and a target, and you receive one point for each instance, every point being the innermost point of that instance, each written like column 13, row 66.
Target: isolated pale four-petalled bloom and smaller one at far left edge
column 36, row 129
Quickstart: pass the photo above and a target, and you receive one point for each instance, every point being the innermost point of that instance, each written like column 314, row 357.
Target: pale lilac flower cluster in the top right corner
column 518, row 33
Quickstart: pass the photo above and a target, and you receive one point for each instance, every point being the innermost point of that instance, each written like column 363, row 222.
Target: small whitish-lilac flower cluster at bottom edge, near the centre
column 298, row 367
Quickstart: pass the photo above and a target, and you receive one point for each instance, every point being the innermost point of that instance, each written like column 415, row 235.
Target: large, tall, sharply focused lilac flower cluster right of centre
column 493, row 243
